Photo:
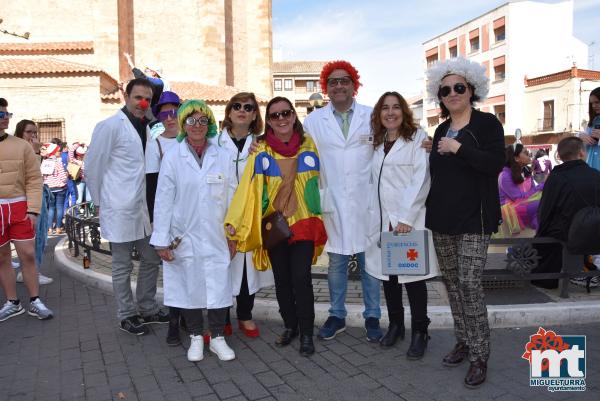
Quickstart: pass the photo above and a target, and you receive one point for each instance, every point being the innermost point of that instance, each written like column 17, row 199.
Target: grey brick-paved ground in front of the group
column 82, row 355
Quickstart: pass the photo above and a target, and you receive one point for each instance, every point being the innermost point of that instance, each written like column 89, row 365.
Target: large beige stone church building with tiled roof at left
column 68, row 71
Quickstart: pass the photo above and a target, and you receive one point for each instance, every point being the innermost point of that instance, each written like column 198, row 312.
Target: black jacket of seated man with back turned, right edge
column 569, row 188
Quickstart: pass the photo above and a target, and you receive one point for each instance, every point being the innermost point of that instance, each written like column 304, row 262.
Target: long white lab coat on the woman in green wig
column 191, row 203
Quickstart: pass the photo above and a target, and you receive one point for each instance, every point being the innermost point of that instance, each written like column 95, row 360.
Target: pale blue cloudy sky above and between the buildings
column 383, row 38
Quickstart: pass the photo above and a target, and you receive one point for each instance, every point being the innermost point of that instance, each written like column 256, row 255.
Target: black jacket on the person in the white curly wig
column 464, row 186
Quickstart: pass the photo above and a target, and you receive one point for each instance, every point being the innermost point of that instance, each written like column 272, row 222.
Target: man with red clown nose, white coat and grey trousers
column 115, row 175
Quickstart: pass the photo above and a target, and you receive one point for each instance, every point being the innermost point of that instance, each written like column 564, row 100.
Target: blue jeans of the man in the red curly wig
column 337, row 278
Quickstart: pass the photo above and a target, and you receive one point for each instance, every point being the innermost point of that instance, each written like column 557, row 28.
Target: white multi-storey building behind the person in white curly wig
column 514, row 41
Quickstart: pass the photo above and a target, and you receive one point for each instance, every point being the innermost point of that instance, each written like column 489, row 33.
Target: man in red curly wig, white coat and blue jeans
column 342, row 133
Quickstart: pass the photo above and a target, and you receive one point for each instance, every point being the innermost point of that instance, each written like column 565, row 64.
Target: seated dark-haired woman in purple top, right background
column 519, row 195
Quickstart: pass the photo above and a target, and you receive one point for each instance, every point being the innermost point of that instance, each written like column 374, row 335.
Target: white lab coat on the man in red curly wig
column 345, row 173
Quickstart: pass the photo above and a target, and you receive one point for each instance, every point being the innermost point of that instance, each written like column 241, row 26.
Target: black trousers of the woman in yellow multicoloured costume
column 293, row 284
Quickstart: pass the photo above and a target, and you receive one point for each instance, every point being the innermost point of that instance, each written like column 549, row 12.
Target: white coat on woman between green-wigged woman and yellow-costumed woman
column 256, row 279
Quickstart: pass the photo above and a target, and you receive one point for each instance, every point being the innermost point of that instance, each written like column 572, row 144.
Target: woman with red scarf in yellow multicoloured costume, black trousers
column 283, row 175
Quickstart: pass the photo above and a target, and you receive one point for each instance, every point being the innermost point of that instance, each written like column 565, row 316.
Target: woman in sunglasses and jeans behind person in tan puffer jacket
column 27, row 130
